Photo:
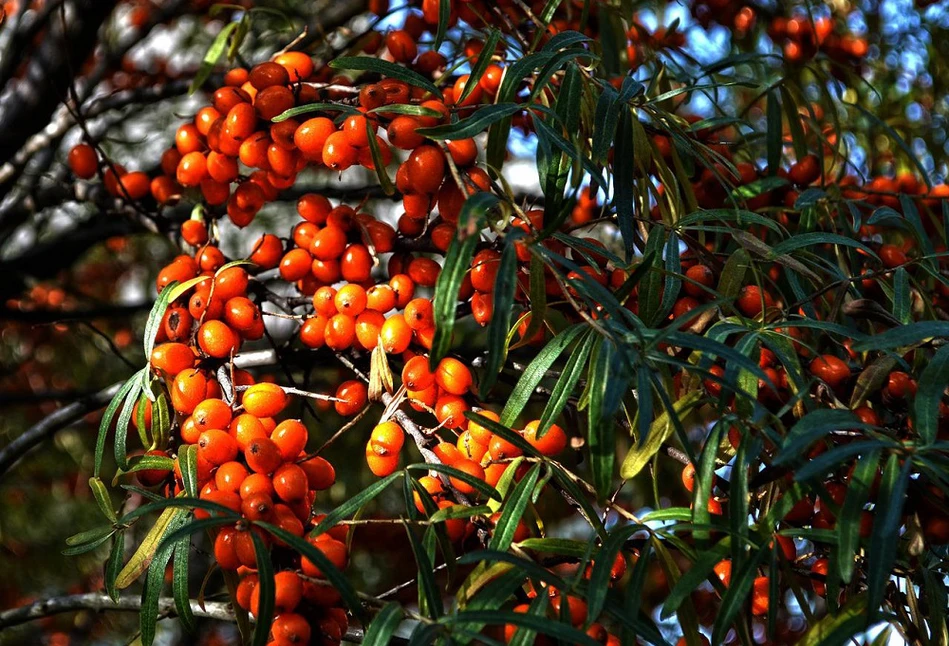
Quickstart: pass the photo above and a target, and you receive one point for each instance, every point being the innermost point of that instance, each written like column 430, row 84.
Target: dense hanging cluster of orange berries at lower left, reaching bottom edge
column 258, row 467
